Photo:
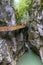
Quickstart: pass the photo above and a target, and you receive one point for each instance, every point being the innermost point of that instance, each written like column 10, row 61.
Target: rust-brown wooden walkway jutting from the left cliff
column 11, row 28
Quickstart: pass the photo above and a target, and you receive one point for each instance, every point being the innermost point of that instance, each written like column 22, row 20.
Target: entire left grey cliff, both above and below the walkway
column 12, row 44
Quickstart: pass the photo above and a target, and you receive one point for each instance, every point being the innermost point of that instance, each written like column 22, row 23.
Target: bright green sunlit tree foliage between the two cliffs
column 22, row 8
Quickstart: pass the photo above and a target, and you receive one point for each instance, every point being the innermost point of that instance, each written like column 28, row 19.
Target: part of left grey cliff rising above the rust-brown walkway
column 7, row 16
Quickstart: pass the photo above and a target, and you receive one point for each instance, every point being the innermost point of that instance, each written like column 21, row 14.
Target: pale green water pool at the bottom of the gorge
column 29, row 59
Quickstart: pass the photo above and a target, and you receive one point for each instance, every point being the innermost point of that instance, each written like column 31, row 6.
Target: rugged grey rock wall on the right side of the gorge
column 36, row 29
